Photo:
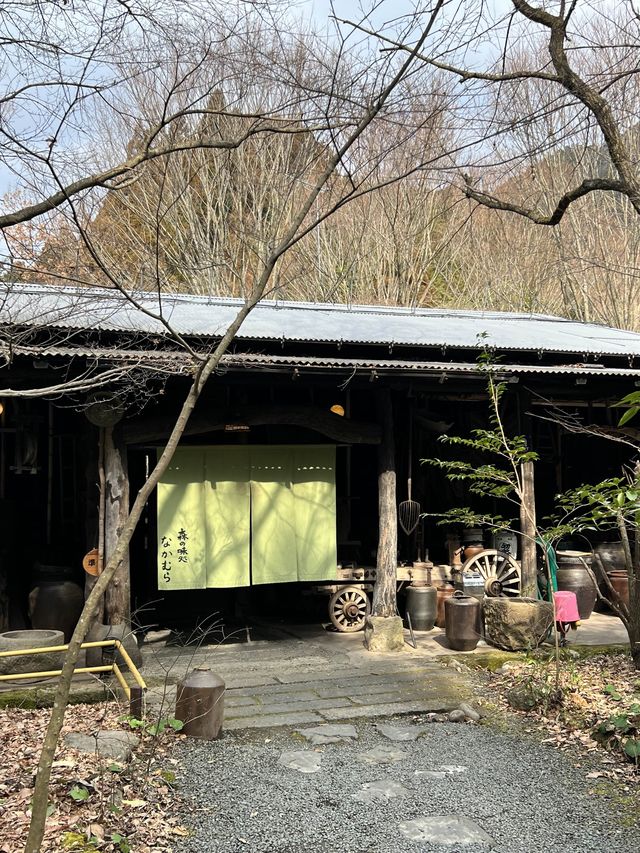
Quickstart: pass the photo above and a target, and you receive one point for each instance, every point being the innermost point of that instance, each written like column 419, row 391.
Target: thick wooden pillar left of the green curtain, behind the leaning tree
column 118, row 594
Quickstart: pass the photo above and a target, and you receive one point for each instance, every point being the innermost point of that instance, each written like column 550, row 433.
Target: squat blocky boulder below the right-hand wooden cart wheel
column 516, row 624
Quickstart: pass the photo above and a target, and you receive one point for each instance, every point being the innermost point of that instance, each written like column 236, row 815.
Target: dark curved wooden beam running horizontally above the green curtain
column 335, row 427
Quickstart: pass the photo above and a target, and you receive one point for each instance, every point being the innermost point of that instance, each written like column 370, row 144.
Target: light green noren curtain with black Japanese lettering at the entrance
column 252, row 514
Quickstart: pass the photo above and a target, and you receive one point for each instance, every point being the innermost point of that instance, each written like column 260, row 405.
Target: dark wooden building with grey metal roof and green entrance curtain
column 276, row 482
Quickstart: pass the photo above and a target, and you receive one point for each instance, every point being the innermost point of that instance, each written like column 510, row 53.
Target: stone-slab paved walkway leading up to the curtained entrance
column 321, row 678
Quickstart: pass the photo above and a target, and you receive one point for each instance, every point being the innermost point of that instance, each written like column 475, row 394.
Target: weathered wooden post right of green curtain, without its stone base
column 384, row 591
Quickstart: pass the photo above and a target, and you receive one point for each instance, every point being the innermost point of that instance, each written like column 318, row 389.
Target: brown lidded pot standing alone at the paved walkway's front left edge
column 200, row 703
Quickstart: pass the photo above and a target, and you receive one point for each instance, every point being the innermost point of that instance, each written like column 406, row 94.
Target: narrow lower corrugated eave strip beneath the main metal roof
column 178, row 361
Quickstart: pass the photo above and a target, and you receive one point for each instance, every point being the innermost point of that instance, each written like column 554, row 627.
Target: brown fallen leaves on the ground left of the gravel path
column 95, row 803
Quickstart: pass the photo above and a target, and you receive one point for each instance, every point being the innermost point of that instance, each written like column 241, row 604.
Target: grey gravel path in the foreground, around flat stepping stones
column 527, row 796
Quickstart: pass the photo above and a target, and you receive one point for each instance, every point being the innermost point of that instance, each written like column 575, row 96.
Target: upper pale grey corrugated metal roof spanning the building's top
column 108, row 310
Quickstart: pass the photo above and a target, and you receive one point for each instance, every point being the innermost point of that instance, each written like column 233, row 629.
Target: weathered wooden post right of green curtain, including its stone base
column 383, row 629
